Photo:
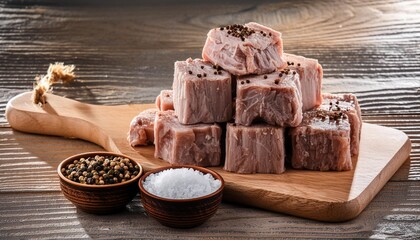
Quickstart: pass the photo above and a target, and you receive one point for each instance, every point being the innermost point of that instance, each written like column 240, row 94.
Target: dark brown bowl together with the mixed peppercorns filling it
column 99, row 182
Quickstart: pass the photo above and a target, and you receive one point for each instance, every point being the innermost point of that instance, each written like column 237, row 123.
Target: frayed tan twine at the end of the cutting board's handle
column 55, row 73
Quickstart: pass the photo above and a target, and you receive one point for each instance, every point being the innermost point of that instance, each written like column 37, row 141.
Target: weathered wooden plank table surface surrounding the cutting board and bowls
column 124, row 53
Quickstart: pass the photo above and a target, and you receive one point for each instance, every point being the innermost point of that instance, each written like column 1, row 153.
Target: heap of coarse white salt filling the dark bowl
column 181, row 183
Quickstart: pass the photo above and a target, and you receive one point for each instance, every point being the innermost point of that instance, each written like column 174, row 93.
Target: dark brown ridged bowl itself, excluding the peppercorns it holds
column 99, row 199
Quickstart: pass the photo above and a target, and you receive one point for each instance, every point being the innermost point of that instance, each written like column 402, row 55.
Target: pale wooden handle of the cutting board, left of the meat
column 59, row 117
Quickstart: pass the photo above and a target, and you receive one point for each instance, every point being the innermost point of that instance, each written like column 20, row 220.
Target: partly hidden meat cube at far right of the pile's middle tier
column 310, row 73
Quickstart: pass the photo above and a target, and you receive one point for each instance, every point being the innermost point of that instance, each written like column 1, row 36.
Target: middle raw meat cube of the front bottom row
column 255, row 149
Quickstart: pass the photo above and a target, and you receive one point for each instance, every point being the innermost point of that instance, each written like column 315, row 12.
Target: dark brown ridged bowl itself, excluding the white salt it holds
column 181, row 213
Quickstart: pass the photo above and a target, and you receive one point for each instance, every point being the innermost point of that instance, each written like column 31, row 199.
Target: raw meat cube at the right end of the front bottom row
column 321, row 142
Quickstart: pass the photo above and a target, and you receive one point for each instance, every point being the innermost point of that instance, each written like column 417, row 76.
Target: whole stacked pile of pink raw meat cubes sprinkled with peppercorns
column 252, row 107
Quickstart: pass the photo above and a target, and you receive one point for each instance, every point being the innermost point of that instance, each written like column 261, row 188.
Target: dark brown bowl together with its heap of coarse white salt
column 181, row 196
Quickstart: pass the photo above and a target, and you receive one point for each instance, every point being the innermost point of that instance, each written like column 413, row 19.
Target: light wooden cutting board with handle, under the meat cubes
column 325, row 196
